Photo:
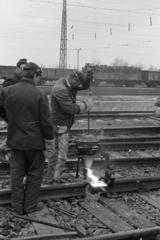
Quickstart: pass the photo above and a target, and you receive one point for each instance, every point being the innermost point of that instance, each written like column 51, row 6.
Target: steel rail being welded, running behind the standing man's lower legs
column 75, row 190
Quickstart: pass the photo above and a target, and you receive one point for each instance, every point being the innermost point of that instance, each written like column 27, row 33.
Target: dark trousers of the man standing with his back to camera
column 29, row 163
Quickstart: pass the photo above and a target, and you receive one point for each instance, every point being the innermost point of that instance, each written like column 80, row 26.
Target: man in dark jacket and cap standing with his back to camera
column 30, row 137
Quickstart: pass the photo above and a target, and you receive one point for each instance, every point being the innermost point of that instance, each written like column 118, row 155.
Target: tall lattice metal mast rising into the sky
column 63, row 43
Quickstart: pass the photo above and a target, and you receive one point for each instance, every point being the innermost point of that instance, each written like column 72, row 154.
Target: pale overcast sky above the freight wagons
column 100, row 30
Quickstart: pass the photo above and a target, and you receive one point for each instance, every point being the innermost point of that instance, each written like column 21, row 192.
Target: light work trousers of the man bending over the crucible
column 57, row 162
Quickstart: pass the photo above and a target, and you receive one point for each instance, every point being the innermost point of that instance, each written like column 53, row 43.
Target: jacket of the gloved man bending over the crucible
column 63, row 104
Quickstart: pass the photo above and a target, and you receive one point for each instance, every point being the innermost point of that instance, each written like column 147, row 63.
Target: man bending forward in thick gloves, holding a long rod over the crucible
column 63, row 108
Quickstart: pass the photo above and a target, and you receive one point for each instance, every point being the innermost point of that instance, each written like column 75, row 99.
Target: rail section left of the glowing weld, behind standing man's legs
column 51, row 192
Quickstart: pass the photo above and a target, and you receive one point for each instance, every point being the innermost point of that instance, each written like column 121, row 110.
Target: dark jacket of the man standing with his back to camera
column 29, row 119
